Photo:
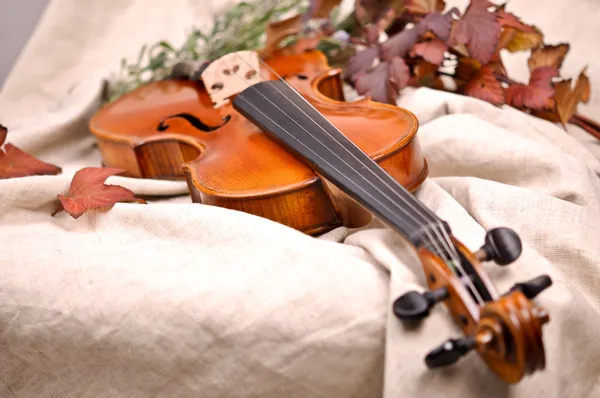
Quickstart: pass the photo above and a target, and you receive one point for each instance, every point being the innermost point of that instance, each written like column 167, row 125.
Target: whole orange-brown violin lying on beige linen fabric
column 274, row 137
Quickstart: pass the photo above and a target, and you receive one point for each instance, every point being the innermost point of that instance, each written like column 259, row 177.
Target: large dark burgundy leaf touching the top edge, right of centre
column 479, row 30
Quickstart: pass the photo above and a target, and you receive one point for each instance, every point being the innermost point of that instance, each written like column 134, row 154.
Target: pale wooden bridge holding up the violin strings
column 231, row 74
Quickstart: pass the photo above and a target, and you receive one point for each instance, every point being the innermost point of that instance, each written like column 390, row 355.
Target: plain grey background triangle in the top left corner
column 17, row 21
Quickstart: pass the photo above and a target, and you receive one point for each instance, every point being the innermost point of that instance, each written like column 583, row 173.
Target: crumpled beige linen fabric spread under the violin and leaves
column 175, row 299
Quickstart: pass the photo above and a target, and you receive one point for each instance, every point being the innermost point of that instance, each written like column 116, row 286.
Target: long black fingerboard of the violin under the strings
column 279, row 110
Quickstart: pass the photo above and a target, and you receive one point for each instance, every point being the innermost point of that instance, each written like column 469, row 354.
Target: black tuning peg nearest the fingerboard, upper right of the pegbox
column 502, row 245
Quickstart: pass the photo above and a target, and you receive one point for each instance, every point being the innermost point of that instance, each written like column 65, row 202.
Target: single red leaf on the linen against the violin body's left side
column 88, row 191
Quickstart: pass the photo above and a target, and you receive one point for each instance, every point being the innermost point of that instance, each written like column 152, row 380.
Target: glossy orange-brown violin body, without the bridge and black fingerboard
column 171, row 129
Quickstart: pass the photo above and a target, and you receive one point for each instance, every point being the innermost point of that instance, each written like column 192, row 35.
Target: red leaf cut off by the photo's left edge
column 16, row 163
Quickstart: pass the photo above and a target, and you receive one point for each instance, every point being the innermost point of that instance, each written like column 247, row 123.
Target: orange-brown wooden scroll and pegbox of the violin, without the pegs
column 507, row 328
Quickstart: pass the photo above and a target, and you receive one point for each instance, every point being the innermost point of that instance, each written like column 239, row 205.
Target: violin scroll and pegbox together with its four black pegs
column 506, row 330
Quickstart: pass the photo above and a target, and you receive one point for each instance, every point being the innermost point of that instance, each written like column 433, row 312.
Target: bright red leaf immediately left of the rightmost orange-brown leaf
column 537, row 95
